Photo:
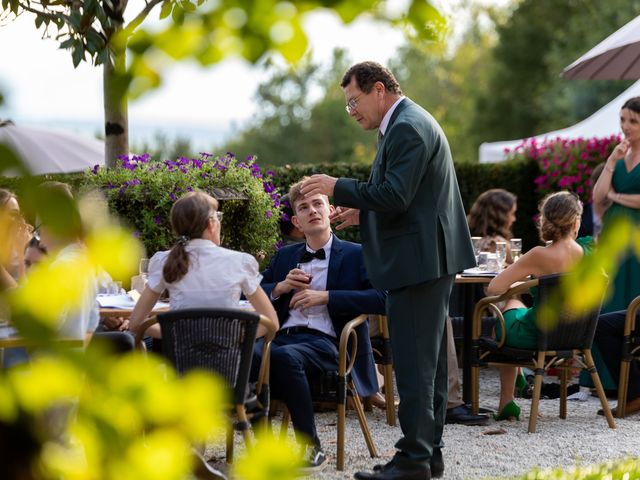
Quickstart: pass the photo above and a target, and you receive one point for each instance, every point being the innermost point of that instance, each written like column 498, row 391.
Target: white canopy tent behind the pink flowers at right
column 604, row 123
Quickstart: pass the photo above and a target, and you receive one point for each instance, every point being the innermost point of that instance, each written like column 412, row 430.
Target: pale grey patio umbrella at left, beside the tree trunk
column 49, row 151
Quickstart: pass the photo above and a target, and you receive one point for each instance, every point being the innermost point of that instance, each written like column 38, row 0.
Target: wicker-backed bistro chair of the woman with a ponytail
column 220, row 341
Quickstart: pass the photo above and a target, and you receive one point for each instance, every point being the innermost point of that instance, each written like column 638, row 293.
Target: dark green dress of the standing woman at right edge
column 625, row 286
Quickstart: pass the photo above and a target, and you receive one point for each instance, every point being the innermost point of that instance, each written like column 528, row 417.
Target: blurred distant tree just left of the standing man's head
column 291, row 128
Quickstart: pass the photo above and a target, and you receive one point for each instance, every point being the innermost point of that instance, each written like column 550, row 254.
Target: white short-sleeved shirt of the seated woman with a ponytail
column 215, row 279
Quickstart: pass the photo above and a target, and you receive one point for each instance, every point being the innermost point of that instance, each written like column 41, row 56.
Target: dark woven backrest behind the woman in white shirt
column 217, row 340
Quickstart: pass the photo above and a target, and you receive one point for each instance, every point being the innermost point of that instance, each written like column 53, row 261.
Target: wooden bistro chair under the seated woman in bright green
column 564, row 345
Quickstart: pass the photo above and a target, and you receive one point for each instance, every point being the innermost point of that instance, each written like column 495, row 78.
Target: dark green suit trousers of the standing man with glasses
column 417, row 326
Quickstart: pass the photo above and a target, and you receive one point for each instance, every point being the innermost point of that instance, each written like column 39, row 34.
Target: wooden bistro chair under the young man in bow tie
column 335, row 387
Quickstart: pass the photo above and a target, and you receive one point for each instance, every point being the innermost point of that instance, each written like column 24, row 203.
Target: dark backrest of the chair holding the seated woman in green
column 568, row 330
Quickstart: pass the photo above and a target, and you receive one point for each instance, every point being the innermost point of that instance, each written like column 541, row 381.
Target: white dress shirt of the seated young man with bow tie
column 316, row 317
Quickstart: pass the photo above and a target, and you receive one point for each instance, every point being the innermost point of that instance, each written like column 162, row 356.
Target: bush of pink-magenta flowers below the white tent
column 566, row 164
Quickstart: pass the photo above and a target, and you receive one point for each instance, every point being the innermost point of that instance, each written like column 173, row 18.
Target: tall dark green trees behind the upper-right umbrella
column 525, row 94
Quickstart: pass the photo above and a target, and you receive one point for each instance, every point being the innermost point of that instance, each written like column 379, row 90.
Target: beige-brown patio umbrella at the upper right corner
column 617, row 57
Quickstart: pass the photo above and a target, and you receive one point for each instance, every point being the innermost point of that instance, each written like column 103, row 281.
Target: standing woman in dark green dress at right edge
column 617, row 194
